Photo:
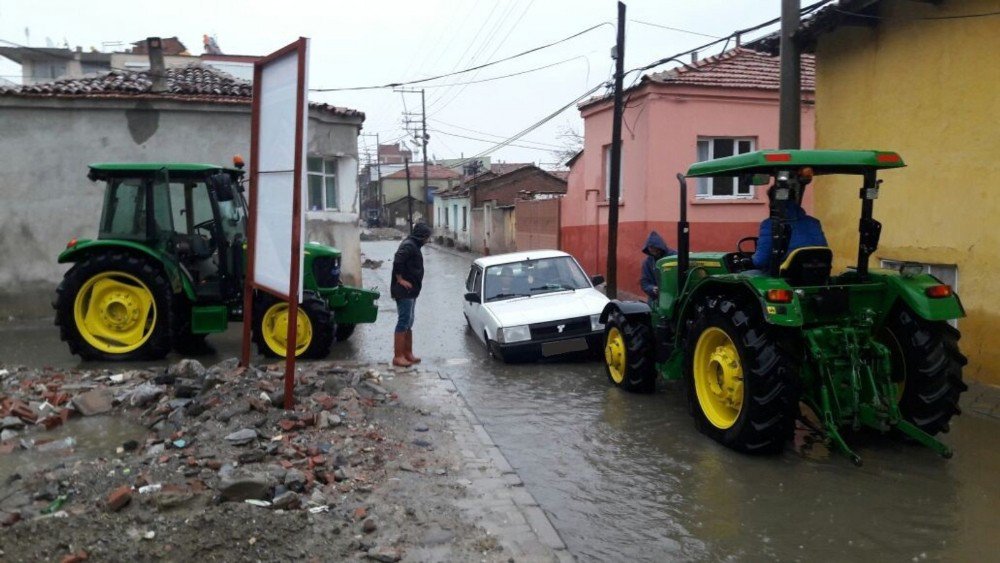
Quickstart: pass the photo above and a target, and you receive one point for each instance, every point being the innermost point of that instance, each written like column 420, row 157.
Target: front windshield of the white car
column 533, row 277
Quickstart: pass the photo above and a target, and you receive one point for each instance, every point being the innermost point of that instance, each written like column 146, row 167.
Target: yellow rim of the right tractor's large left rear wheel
column 718, row 377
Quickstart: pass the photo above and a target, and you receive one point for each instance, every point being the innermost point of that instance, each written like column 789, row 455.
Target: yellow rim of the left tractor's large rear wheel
column 115, row 312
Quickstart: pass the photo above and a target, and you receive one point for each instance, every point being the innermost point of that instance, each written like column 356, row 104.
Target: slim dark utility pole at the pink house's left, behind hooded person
column 616, row 158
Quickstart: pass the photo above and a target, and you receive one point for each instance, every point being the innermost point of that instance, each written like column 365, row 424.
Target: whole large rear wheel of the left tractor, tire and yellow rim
column 115, row 306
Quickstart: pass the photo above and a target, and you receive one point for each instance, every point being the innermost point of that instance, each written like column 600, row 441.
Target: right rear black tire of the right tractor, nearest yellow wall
column 926, row 360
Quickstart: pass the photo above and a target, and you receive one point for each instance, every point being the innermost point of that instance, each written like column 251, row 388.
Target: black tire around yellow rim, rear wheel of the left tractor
column 156, row 345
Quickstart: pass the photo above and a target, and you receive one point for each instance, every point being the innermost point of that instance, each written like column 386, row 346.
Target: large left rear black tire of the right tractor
column 770, row 390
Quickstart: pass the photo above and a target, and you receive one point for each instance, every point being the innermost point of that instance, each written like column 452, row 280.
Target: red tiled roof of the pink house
column 738, row 68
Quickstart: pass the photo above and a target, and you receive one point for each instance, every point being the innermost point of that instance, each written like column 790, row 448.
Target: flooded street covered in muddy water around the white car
column 627, row 477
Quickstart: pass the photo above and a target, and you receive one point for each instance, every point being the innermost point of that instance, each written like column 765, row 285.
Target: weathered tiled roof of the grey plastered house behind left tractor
column 193, row 83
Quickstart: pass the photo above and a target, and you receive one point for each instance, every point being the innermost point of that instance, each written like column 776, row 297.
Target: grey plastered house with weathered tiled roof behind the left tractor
column 53, row 131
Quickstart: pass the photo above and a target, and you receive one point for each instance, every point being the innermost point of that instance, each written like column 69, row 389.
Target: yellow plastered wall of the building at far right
column 930, row 90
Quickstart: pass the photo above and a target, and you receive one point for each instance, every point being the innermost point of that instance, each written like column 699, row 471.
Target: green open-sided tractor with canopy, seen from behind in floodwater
column 861, row 348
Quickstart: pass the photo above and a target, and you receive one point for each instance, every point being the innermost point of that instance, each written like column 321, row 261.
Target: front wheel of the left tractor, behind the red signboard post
column 314, row 331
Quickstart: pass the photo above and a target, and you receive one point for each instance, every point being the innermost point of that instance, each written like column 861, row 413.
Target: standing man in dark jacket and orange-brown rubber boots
column 407, row 278
